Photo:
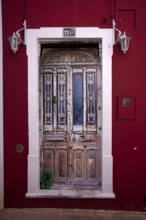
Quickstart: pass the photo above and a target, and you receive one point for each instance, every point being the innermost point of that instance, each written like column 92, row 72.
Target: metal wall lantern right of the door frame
column 122, row 39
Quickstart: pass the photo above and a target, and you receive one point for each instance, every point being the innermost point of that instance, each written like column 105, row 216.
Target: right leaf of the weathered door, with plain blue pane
column 85, row 137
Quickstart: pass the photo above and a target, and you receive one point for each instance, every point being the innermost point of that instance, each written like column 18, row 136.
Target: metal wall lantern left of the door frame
column 15, row 39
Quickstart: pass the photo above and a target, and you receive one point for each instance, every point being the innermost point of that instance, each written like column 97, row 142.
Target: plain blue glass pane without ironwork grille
column 77, row 99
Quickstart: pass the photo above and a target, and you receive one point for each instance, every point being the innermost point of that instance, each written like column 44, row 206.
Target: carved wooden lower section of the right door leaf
column 87, row 170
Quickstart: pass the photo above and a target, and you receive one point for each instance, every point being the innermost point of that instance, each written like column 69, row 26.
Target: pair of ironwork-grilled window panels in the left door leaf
column 55, row 99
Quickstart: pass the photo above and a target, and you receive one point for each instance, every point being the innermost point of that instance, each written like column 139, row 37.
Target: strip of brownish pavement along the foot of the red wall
column 68, row 214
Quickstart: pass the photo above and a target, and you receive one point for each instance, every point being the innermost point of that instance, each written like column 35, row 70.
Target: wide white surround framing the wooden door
column 33, row 38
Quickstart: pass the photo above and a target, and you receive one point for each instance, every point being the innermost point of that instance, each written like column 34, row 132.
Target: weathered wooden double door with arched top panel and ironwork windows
column 70, row 119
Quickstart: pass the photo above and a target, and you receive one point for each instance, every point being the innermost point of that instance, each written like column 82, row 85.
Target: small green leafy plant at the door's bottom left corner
column 46, row 179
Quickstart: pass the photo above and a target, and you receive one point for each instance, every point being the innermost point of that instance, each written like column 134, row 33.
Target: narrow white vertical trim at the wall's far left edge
column 1, row 116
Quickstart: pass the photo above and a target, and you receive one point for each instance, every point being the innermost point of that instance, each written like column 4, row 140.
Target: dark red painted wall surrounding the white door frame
column 129, row 79
